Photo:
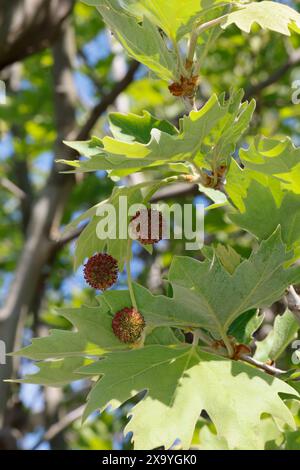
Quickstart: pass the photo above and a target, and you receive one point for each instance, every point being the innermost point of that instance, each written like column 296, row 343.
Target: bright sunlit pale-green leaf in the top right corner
column 268, row 15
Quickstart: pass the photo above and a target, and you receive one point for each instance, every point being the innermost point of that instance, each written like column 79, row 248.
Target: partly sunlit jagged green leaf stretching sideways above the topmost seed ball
column 208, row 137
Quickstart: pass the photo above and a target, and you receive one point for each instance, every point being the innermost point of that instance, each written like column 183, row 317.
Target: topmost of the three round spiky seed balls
column 150, row 226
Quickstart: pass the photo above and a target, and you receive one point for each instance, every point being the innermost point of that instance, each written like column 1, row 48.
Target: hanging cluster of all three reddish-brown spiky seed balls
column 101, row 272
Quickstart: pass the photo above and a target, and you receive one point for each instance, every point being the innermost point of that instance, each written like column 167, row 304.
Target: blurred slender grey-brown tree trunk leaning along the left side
column 47, row 209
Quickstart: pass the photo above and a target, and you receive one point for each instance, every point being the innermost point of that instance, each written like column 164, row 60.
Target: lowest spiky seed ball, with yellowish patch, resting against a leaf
column 128, row 325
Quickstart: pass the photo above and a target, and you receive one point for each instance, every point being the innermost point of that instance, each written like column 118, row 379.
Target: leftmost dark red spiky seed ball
column 101, row 271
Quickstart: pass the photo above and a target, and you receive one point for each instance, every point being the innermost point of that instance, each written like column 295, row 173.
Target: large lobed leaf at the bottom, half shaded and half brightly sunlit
column 171, row 407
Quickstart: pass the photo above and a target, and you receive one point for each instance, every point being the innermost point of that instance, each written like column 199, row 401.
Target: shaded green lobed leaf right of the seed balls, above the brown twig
column 218, row 297
